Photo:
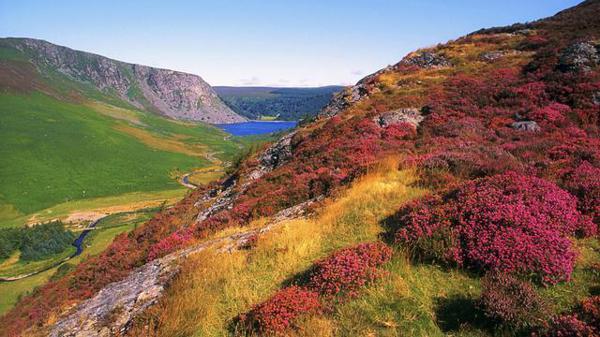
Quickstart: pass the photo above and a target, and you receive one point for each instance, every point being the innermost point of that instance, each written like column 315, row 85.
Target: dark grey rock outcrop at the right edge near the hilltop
column 580, row 57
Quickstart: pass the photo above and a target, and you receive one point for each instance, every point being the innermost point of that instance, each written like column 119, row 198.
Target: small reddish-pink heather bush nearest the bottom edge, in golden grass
column 277, row 314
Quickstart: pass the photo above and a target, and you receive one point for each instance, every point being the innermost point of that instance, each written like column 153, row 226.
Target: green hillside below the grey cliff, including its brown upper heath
column 62, row 139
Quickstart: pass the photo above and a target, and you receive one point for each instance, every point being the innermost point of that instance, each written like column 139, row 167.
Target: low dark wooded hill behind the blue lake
column 278, row 103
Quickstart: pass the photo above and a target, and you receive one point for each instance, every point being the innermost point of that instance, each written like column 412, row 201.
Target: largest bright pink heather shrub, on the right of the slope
column 504, row 223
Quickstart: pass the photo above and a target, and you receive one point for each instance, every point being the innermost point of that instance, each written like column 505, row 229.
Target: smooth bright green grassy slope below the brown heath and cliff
column 54, row 152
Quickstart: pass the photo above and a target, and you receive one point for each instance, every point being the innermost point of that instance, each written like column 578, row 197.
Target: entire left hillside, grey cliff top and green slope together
column 70, row 129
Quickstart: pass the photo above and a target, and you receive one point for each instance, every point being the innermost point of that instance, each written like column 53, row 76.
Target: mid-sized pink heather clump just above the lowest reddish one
column 347, row 270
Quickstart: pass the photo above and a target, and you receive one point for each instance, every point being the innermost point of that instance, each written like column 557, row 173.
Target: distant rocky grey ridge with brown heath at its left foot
column 170, row 93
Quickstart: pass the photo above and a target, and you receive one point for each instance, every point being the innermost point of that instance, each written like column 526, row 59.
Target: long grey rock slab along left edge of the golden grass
column 112, row 310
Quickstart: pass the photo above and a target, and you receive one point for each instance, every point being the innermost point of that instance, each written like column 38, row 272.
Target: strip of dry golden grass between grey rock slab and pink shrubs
column 213, row 289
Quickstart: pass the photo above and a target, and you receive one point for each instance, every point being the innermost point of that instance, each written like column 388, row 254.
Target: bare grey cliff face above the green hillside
column 171, row 93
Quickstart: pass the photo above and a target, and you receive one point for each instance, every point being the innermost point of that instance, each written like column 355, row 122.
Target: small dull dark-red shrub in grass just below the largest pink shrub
column 512, row 302
